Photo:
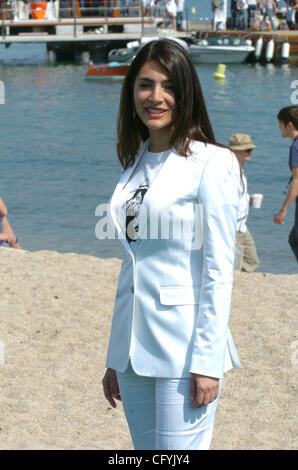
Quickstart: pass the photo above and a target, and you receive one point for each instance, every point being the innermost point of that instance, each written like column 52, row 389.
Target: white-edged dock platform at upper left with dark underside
column 91, row 36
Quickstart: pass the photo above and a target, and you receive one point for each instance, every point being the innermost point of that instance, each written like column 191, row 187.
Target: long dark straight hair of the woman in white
column 190, row 117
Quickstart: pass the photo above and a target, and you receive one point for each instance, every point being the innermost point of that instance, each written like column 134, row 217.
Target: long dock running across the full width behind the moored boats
column 95, row 36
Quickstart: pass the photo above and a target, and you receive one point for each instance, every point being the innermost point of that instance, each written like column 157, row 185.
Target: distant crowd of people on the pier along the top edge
column 244, row 14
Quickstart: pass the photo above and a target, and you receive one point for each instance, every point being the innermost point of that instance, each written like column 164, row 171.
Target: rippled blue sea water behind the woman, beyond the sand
column 58, row 159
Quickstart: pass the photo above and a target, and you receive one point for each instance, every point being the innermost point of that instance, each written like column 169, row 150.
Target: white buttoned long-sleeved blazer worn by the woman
column 174, row 292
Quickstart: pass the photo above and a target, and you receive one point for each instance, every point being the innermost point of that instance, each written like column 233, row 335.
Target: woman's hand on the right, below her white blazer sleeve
column 203, row 390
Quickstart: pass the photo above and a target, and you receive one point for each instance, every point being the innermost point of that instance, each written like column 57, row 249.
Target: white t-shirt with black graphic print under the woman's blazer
column 133, row 193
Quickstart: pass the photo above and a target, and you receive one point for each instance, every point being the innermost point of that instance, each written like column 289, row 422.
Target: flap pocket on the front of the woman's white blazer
column 179, row 295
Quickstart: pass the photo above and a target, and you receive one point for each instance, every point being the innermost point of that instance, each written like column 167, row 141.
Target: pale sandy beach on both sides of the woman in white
column 55, row 315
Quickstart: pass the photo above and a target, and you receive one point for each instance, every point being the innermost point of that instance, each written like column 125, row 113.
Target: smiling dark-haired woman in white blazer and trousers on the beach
column 170, row 342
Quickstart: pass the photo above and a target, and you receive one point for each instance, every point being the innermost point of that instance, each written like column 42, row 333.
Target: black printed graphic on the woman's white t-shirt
column 132, row 211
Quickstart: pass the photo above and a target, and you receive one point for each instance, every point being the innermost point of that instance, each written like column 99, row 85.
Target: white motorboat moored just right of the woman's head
column 222, row 49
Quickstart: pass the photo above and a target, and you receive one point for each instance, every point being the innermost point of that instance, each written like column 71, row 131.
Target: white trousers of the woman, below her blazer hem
column 159, row 414
